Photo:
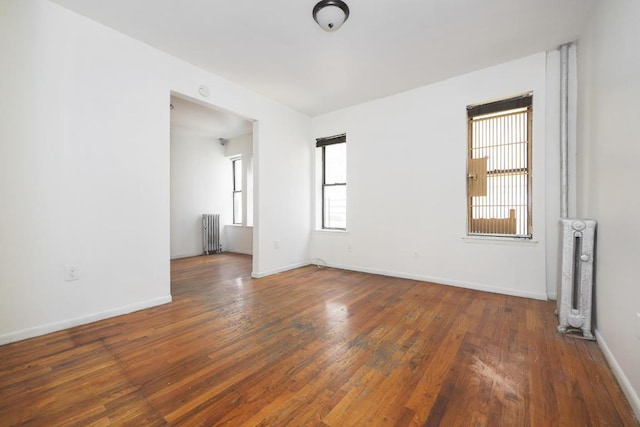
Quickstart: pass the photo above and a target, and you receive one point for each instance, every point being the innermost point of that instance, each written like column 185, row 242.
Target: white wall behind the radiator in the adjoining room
column 200, row 183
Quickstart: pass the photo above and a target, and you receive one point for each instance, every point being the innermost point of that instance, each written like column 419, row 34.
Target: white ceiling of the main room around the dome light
column 275, row 48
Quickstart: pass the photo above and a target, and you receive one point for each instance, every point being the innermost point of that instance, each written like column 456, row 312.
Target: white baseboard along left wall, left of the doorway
column 70, row 323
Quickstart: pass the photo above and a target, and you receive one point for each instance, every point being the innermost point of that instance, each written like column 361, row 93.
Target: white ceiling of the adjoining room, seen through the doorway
column 206, row 120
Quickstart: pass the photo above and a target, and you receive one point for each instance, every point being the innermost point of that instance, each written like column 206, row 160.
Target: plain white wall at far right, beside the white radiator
column 609, row 150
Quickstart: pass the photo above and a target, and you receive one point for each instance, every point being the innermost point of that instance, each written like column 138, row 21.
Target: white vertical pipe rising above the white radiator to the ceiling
column 564, row 130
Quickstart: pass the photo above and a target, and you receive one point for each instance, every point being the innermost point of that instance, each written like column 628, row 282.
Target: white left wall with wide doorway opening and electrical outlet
column 85, row 169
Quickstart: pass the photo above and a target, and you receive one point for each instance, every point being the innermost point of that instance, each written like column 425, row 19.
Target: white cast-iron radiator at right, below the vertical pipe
column 576, row 285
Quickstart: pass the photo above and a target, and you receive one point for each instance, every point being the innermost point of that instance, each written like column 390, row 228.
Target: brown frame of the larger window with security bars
column 498, row 109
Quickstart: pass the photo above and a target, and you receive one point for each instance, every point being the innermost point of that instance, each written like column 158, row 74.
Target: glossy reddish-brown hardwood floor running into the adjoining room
column 319, row 347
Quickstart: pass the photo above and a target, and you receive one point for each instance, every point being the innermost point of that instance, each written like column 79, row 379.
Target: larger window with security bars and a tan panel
column 499, row 168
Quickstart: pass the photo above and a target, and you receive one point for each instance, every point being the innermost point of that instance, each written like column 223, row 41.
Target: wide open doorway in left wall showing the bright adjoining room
column 205, row 142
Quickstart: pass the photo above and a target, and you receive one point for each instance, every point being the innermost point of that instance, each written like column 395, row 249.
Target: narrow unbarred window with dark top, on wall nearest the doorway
column 334, row 181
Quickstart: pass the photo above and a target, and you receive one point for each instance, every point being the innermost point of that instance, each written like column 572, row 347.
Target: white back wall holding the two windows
column 407, row 185
